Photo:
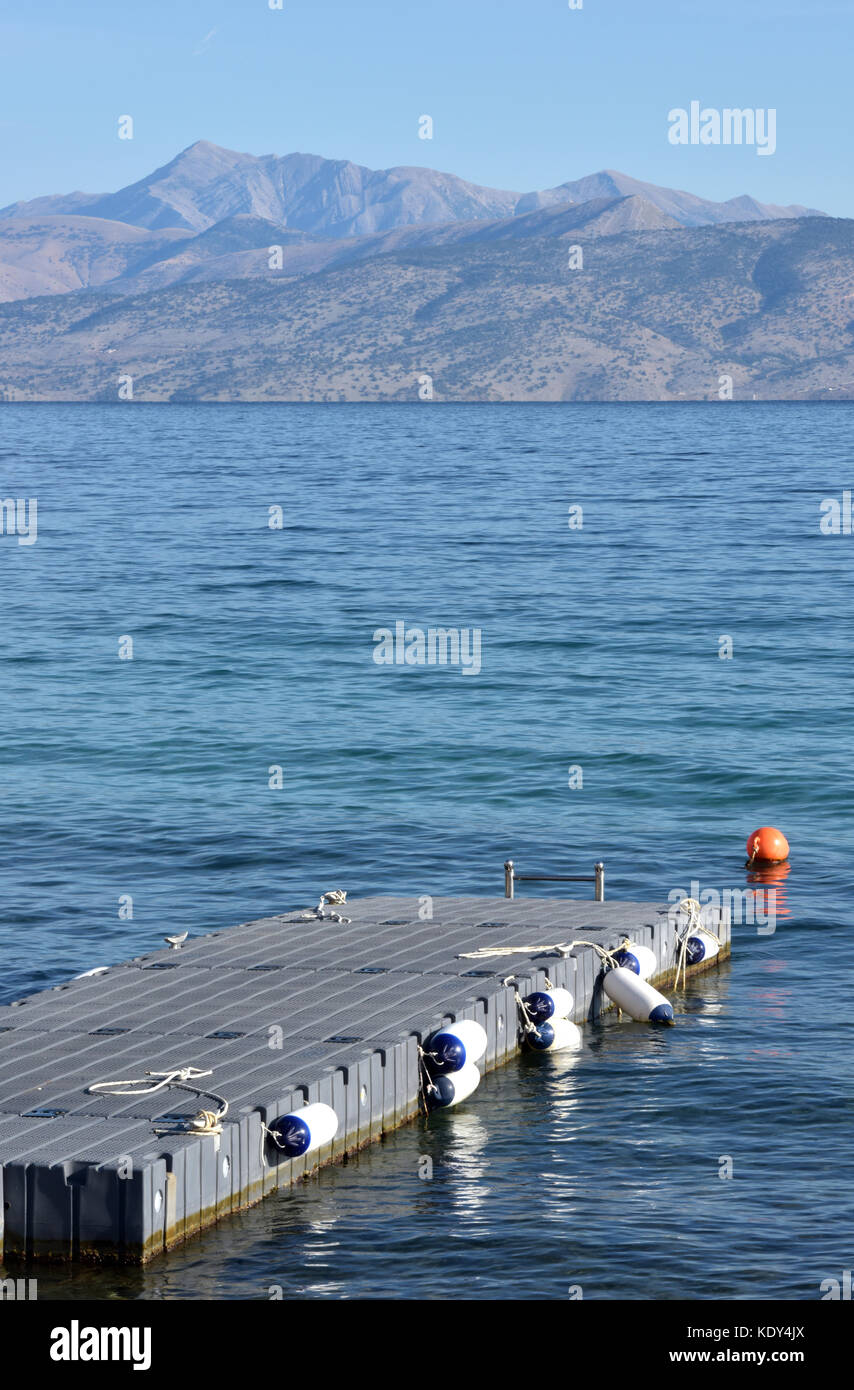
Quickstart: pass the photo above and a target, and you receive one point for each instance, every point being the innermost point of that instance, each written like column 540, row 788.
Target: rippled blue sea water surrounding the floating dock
column 602, row 650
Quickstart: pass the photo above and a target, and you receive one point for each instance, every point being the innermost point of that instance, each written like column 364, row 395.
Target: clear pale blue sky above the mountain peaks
column 525, row 94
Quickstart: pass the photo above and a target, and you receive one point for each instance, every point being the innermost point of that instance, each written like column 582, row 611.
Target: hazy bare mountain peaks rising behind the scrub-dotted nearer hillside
column 59, row 245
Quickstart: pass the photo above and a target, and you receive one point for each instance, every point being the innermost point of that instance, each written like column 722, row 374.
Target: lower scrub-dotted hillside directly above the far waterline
column 654, row 315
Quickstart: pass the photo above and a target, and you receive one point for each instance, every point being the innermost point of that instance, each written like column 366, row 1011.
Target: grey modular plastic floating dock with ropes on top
column 283, row 1011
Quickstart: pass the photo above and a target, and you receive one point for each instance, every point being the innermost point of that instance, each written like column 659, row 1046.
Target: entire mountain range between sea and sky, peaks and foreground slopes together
column 599, row 290
